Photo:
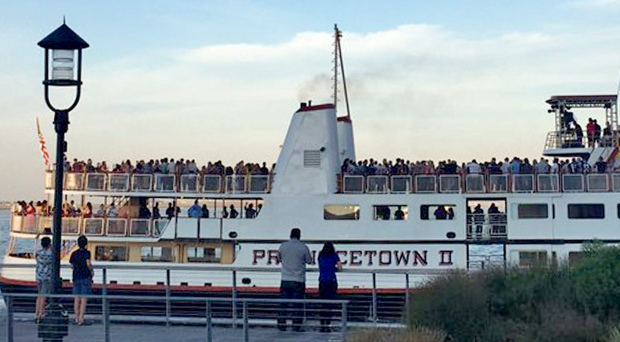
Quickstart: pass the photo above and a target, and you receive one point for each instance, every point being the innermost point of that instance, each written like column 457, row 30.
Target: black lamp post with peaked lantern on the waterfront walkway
column 60, row 71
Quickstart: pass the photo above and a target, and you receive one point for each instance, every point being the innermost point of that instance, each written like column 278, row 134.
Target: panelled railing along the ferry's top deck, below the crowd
column 240, row 186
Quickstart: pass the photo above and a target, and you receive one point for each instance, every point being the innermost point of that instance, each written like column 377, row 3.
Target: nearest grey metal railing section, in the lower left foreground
column 214, row 314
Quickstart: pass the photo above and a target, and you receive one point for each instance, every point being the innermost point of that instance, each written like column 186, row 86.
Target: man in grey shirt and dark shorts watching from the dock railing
column 294, row 255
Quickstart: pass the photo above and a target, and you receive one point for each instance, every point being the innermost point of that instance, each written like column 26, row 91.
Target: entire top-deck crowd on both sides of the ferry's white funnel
column 366, row 167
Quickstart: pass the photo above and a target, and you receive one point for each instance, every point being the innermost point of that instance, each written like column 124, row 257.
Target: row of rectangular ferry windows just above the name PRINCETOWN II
column 446, row 211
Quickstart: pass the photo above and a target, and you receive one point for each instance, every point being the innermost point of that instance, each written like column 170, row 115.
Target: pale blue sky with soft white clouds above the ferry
column 219, row 80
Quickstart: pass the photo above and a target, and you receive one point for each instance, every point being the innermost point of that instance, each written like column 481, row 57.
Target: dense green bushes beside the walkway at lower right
column 549, row 302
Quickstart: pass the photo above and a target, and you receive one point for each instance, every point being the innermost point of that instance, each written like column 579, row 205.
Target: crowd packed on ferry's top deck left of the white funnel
column 168, row 166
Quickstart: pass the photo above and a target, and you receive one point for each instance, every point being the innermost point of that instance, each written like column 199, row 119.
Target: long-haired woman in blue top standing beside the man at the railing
column 329, row 263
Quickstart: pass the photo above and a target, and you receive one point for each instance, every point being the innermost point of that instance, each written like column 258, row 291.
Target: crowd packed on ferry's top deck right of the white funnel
column 401, row 167
